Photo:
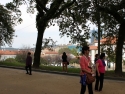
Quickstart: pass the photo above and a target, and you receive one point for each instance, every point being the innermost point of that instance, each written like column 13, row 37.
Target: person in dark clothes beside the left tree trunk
column 28, row 64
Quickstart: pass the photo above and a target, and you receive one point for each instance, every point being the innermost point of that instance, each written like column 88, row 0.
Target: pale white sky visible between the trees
column 26, row 32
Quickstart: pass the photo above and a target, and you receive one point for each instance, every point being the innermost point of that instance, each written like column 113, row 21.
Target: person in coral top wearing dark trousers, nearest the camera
column 85, row 68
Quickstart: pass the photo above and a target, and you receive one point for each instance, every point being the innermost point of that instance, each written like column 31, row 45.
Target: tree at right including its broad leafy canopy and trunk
column 112, row 22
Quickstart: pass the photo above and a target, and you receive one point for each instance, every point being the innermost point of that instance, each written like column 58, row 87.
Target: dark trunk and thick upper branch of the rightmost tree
column 115, row 10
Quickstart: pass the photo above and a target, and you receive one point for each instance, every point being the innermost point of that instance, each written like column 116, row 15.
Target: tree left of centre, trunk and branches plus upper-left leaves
column 47, row 11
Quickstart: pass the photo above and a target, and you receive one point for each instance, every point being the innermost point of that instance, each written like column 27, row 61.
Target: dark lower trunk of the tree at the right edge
column 121, row 35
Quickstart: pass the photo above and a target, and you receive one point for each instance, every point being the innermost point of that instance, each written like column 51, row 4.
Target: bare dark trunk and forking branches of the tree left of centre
column 44, row 16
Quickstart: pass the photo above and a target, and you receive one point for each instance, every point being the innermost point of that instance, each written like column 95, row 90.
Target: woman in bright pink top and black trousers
column 100, row 69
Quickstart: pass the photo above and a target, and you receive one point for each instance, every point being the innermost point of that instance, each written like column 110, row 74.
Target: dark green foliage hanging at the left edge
column 6, row 28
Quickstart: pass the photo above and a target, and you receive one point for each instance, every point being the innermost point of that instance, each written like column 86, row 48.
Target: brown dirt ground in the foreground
column 14, row 81
